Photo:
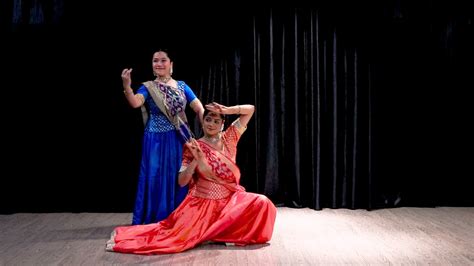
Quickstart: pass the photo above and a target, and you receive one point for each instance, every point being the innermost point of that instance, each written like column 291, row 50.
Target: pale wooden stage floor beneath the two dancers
column 440, row 236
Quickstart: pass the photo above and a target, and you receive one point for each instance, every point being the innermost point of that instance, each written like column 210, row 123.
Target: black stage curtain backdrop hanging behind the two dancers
column 357, row 105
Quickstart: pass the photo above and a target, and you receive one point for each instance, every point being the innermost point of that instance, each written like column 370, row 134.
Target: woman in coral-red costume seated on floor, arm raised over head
column 217, row 208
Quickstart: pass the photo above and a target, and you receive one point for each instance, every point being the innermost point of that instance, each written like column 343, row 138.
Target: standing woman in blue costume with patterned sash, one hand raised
column 166, row 130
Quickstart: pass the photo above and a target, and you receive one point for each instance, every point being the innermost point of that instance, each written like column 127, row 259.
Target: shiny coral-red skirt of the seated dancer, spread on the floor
column 241, row 218
